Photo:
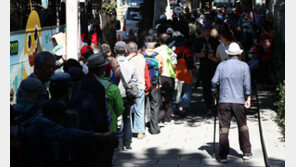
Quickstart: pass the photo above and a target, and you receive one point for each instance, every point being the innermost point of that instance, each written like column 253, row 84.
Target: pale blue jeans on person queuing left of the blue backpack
column 139, row 113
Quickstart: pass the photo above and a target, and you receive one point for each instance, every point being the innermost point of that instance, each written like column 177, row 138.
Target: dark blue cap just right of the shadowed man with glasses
column 61, row 79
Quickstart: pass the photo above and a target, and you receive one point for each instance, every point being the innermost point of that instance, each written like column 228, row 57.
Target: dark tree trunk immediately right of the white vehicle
column 147, row 19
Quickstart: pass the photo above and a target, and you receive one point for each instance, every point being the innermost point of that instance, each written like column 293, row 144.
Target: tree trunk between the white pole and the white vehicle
column 108, row 25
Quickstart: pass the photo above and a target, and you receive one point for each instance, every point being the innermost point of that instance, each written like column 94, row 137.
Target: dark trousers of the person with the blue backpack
column 155, row 101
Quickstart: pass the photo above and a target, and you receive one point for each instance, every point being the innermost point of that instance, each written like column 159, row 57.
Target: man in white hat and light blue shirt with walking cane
column 233, row 80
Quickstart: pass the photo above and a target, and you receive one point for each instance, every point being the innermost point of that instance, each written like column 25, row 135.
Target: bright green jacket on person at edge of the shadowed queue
column 115, row 102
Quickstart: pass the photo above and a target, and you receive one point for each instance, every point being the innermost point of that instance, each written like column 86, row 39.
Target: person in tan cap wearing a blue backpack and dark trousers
column 154, row 63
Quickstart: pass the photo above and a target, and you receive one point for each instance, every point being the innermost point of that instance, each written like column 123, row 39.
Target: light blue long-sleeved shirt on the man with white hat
column 234, row 80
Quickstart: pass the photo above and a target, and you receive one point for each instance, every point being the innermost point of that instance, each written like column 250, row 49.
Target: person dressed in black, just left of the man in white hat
column 205, row 49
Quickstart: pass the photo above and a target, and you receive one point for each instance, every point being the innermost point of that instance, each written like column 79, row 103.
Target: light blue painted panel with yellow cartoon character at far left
column 25, row 45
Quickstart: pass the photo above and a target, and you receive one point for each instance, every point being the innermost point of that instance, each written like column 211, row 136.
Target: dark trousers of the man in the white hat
column 225, row 111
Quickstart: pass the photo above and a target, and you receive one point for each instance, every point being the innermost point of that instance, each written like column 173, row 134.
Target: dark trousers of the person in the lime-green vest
column 167, row 93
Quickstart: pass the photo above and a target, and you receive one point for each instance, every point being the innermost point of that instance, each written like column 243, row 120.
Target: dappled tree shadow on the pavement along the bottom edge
column 154, row 157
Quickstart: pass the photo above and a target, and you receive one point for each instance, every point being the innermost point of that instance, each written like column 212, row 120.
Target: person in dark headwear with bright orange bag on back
column 184, row 73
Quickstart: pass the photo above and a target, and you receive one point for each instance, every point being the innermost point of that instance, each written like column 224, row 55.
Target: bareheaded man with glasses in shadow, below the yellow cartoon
column 44, row 67
